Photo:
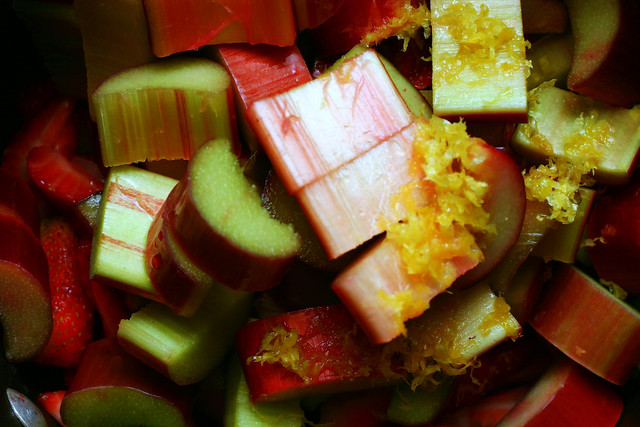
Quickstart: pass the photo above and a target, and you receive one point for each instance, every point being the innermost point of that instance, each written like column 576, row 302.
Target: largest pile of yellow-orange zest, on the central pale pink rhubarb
column 444, row 228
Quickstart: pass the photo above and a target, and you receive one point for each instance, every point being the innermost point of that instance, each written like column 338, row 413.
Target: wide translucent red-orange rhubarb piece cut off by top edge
column 187, row 26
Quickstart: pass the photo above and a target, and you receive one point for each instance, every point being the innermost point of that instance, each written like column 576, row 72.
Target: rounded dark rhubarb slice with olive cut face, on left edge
column 25, row 305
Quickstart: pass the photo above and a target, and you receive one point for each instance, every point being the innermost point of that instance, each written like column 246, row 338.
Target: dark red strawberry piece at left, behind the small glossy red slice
column 45, row 128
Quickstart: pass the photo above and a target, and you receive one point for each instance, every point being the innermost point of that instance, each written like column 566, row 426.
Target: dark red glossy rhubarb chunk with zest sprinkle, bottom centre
column 336, row 368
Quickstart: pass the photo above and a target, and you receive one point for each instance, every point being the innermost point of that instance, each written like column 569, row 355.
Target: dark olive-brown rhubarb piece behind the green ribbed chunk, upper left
column 114, row 36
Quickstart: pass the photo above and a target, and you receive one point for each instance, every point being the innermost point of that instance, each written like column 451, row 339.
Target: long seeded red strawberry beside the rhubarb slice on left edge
column 72, row 309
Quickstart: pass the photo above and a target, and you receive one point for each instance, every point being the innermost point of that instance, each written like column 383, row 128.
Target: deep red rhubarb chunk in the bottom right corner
column 567, row 395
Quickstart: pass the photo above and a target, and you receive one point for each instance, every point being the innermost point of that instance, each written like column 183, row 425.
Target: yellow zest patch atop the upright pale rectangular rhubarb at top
column 484, row 43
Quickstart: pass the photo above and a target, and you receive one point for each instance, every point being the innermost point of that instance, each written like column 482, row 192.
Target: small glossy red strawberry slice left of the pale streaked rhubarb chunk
column 61, row 180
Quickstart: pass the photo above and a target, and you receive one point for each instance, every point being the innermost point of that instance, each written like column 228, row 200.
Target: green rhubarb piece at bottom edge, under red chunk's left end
column 241, row 412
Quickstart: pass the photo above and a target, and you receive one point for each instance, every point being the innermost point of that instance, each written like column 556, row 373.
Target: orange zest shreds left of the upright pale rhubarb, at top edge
column 406, row 24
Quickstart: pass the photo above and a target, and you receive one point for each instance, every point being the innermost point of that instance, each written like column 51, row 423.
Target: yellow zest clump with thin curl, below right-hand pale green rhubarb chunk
column 584, row 143
